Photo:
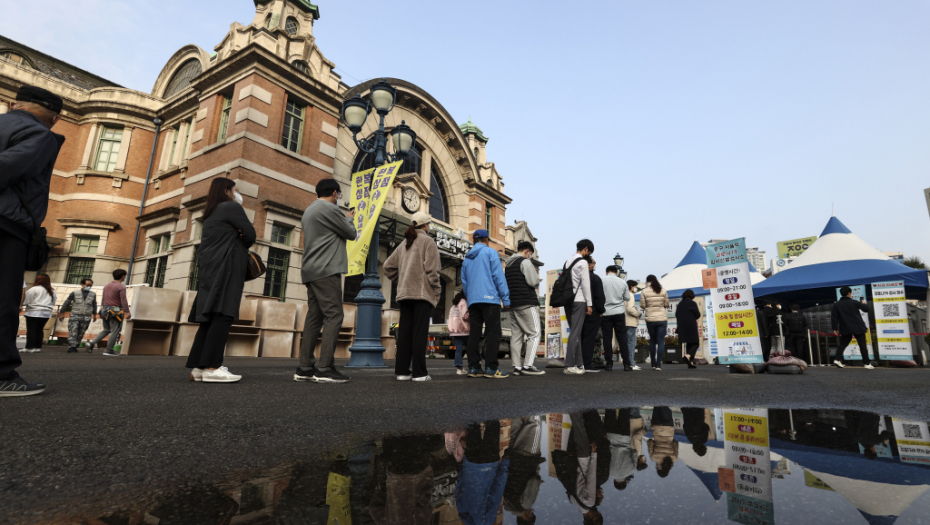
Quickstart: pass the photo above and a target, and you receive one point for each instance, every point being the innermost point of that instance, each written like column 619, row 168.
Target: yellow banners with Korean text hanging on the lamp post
column 368, row 200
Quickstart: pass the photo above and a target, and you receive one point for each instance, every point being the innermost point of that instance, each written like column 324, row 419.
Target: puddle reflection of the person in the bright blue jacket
column 483, row 477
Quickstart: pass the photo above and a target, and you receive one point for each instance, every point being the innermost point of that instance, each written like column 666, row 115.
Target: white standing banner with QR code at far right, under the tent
column 893, row 332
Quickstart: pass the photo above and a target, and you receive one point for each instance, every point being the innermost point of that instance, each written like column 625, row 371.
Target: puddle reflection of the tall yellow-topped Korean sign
column 748, row 456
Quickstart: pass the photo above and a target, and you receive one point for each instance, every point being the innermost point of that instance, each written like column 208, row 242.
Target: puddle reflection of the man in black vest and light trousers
column 523, row 479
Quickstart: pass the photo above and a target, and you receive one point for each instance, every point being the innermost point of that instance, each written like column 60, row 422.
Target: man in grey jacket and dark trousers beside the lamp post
column 325, row 260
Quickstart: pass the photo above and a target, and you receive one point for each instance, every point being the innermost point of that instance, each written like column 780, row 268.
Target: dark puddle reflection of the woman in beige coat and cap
column 404, row 496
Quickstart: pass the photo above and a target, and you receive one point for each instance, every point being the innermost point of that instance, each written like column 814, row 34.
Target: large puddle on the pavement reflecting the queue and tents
column 629, row 465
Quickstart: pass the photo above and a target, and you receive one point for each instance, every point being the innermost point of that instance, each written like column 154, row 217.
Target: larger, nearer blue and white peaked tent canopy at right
column 838, row 258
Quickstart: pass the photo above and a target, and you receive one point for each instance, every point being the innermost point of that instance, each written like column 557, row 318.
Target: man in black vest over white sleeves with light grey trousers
column 523, row 283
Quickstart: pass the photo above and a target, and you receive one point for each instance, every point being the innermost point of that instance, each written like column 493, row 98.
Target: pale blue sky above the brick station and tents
column 640, row 125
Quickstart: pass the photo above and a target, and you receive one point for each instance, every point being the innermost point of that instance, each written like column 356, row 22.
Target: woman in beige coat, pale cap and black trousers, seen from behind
column 414, row 266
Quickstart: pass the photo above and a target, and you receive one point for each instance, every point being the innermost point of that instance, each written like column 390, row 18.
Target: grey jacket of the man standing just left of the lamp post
column 326, row 230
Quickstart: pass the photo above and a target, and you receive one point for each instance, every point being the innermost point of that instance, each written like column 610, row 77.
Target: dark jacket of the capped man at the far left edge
column 28, row 151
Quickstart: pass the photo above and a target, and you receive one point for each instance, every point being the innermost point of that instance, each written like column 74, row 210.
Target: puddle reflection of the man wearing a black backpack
column 576, row 468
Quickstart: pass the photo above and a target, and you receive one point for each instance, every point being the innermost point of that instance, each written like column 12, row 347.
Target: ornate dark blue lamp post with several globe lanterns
column 367, row 352
